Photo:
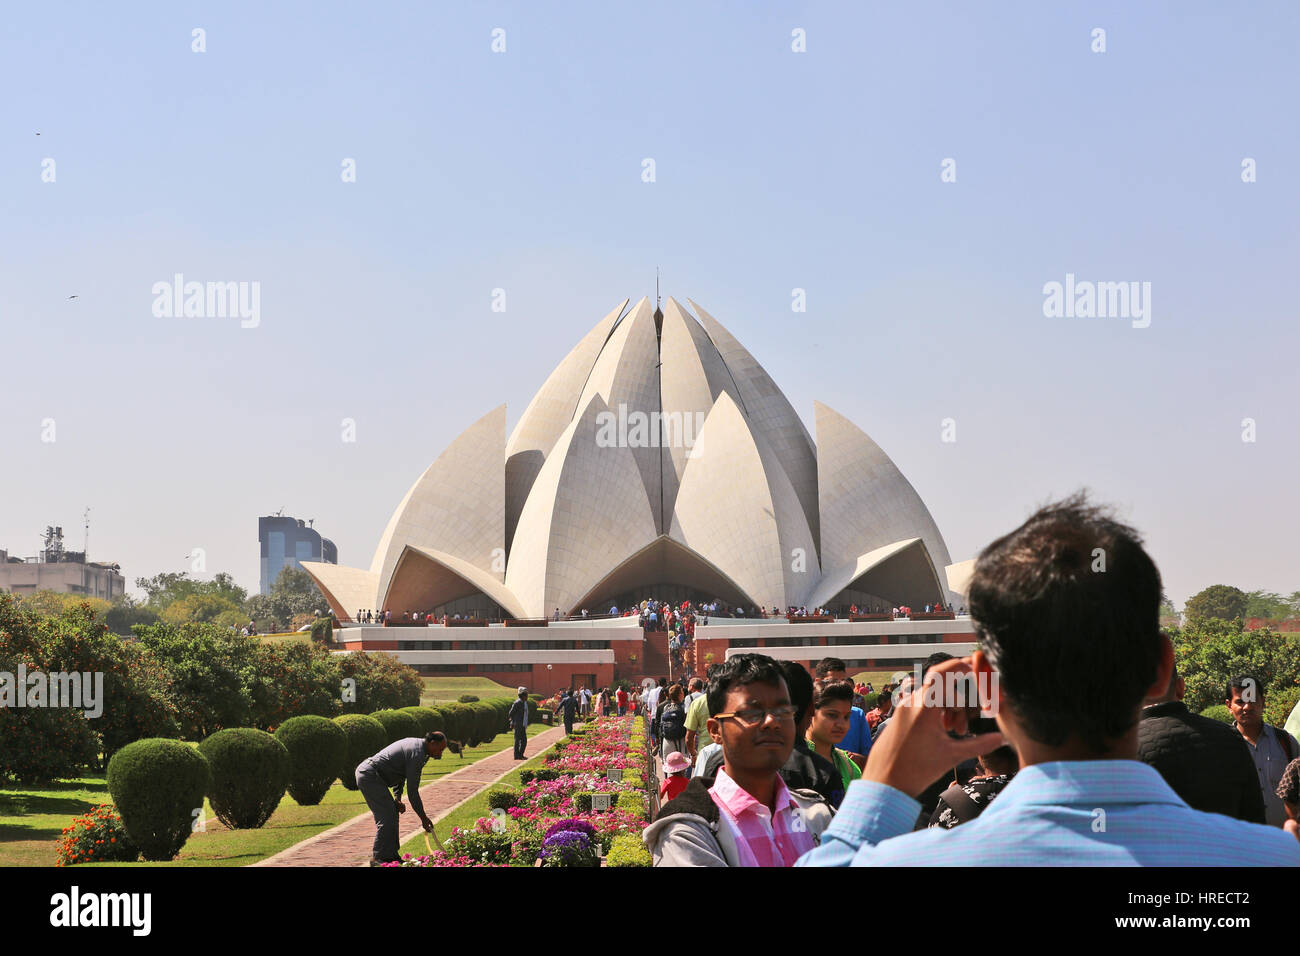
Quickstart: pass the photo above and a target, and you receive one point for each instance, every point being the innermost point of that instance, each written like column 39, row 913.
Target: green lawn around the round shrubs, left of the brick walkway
column 32, row 821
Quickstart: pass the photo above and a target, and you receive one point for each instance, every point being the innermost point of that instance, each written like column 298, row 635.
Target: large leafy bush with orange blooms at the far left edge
column 137, row 695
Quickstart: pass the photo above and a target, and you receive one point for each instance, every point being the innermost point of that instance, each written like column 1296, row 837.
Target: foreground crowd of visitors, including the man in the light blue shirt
column 768, row 765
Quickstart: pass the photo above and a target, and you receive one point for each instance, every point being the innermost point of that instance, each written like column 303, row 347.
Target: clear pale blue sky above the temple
column 523, row 171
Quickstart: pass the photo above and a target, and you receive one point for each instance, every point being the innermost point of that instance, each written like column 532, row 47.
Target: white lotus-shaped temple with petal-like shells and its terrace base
column 658, row 461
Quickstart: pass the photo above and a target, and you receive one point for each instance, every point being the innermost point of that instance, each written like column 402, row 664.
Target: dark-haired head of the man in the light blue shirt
column 1068, row 609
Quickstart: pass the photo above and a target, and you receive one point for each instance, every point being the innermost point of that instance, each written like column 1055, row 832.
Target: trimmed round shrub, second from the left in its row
column 250, row 773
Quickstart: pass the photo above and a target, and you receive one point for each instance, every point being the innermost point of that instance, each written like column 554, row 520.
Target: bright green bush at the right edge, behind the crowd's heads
column 1211, row 652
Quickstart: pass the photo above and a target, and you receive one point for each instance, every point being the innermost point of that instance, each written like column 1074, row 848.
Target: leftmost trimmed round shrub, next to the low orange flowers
column 158, row 786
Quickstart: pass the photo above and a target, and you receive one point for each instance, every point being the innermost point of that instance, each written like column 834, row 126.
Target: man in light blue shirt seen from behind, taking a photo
column 1067, row 609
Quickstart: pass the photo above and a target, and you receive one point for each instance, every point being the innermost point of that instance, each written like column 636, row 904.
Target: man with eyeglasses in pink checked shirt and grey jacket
column 746, row 816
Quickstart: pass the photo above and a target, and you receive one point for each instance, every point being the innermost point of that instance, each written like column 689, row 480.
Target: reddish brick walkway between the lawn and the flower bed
column 349, row 845
